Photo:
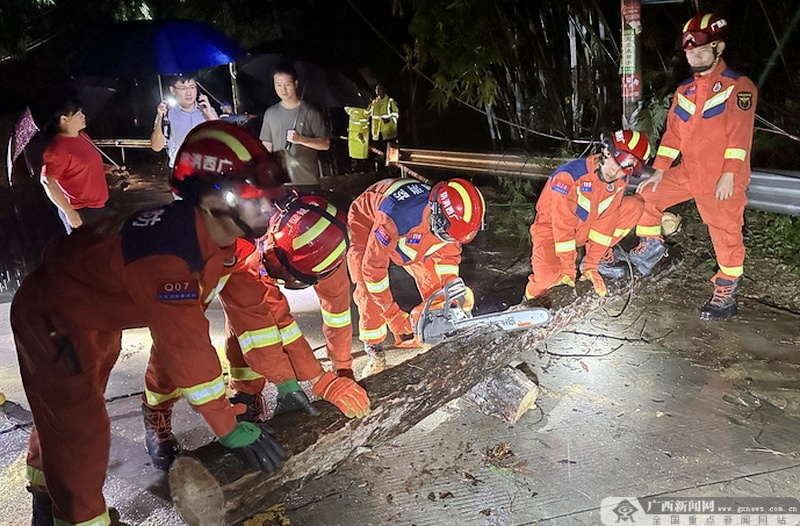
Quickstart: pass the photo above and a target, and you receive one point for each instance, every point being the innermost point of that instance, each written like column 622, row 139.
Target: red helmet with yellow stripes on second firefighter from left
column 308, row 235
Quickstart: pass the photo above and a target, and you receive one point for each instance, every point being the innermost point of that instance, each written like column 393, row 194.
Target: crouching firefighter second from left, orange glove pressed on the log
column 307, row 241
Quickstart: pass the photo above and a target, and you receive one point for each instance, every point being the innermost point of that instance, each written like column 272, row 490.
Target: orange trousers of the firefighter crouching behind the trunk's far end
column 545, row 262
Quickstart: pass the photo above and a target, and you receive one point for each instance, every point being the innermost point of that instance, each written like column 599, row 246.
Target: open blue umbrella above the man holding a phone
column 156, row 47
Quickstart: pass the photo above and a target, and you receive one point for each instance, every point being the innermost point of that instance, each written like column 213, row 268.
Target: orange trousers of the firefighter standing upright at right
column 724, row 219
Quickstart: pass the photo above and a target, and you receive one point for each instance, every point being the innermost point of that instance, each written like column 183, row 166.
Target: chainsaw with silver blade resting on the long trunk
column 442, row 314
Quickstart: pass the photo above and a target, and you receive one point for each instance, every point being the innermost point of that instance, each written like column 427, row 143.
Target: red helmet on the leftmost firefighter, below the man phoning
column 217, row 152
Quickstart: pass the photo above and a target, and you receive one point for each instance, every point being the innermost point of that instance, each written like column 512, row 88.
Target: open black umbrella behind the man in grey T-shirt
column 318, row 85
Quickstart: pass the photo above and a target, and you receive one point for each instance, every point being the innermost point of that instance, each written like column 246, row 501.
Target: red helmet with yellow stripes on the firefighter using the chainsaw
column 457, row 210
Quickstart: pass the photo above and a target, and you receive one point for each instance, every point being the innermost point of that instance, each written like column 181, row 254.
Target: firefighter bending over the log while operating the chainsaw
column 413, row 226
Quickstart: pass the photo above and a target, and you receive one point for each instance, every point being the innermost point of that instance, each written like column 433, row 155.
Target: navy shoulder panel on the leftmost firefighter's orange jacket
column 169, row 230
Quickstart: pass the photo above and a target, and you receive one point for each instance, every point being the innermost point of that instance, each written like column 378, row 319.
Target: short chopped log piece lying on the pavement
column 505, row 394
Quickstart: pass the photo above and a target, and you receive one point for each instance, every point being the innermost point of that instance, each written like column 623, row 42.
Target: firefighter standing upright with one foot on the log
column 709, row 134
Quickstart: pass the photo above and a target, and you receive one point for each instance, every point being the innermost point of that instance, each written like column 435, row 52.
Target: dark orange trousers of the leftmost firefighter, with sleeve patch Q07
column 69, row 446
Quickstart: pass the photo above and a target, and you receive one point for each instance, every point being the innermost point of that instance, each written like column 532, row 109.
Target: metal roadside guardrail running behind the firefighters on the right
column 775, row 191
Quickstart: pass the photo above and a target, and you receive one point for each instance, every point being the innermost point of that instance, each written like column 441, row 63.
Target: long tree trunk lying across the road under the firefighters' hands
column 209, row 485
